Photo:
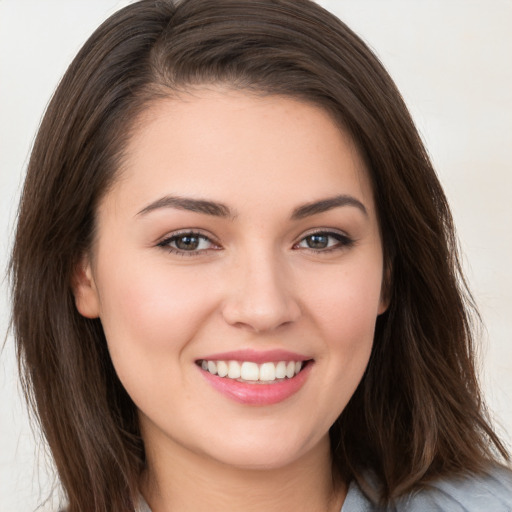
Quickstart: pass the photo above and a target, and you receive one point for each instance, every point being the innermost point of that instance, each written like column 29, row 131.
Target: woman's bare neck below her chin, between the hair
column 177, row 480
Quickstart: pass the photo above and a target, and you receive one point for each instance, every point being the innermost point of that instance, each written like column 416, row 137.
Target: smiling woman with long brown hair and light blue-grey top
column 235, row 279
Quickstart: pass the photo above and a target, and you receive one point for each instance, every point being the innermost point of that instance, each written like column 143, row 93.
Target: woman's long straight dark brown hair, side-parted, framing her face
column 417, row 414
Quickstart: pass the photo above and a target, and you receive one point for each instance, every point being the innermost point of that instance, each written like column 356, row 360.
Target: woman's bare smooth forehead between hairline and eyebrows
column 233, row 145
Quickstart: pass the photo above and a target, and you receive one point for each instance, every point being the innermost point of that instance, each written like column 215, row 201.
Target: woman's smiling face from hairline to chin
column 237, row 273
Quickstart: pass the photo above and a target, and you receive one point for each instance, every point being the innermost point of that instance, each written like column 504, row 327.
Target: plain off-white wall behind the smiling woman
column 452, row 60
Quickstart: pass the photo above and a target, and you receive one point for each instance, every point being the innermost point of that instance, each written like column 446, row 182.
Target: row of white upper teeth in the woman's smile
column 250, row 371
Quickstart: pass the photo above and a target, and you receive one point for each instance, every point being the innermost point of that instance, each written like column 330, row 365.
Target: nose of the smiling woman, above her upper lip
column 260, row 295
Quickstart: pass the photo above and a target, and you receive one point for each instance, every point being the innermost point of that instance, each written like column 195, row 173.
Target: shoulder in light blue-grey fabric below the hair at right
column 492, row 491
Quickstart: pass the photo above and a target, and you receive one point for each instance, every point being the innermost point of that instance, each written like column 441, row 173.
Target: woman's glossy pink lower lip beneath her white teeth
column 258, row 394
